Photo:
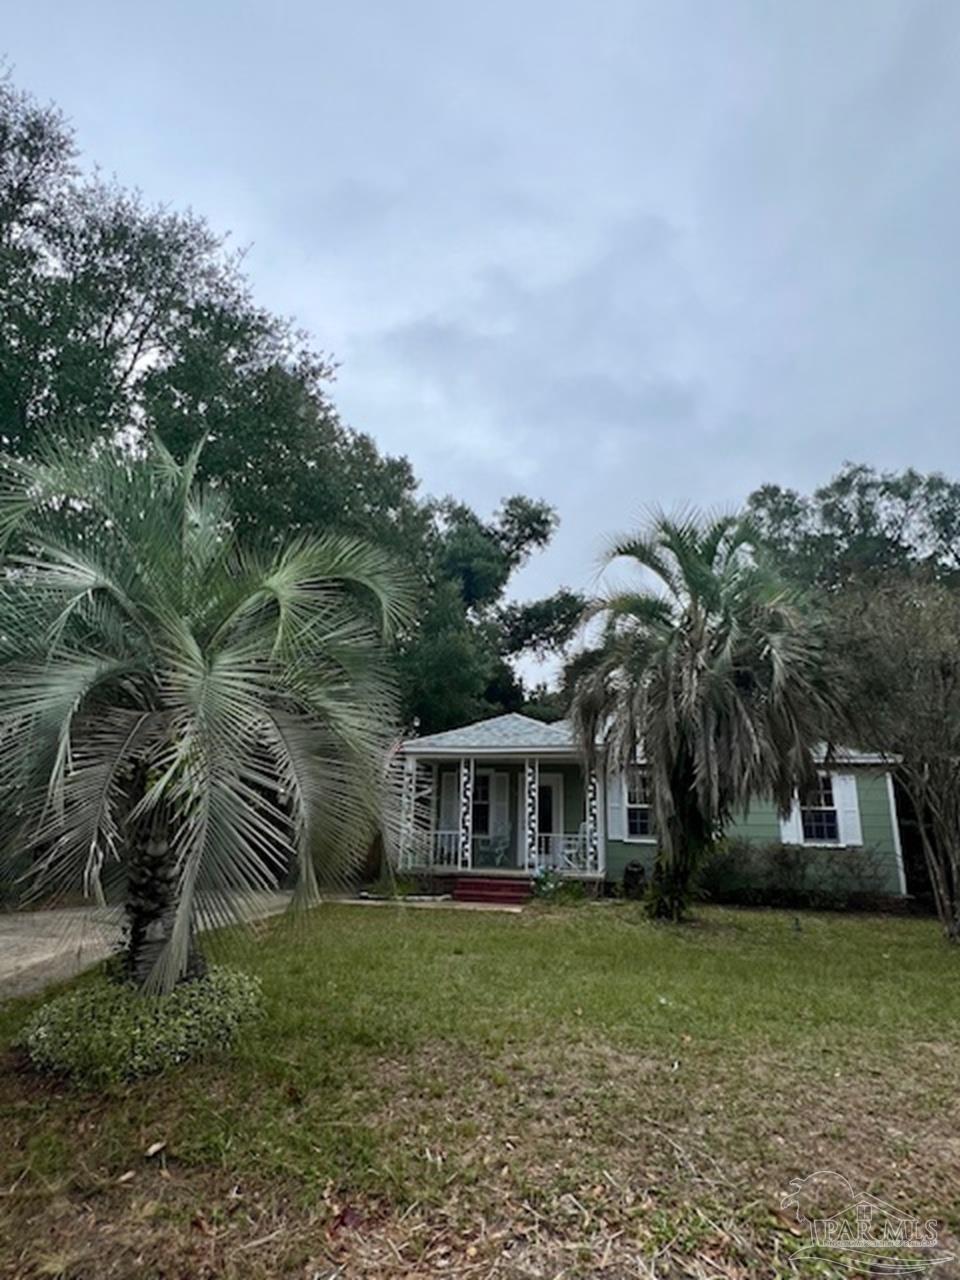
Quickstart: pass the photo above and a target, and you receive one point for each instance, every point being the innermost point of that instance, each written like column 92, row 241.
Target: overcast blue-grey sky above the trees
column 607, row 254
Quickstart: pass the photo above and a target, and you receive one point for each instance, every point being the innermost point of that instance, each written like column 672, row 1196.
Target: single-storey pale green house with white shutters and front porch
column 510, row 798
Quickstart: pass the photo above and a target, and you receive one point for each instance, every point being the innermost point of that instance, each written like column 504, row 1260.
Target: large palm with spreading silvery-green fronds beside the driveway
column 182, row 720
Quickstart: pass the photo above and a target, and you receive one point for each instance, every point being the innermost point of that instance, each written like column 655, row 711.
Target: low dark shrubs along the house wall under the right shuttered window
column 792, row 876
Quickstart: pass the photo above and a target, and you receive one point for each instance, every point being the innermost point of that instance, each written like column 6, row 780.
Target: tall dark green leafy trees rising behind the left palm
column 117, row 313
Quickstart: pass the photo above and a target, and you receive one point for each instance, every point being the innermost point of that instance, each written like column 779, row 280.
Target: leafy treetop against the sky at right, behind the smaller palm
column 863, row 527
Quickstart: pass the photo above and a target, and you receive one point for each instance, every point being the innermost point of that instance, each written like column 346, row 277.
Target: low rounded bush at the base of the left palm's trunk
column 108, row 1032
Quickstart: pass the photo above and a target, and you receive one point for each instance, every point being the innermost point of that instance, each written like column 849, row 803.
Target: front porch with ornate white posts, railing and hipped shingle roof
column 500, row 808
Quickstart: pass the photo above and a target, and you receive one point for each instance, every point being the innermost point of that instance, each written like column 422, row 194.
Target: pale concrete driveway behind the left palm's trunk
column 39, row 949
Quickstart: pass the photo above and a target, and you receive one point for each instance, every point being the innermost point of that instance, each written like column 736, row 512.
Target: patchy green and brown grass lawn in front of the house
column 559, row 1094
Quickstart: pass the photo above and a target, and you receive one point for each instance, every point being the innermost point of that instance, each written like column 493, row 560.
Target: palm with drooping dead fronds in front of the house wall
column 715, row 679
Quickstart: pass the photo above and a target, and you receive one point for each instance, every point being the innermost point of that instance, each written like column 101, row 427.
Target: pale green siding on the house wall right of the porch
column 761, row 825
